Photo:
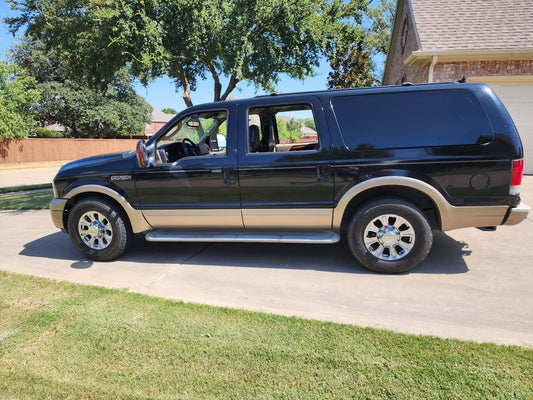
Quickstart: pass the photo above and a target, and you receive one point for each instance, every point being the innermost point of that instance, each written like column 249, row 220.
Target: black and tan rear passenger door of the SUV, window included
column 284, row 168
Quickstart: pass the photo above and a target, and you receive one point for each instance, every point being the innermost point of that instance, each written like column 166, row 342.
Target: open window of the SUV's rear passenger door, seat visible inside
column 282, row 128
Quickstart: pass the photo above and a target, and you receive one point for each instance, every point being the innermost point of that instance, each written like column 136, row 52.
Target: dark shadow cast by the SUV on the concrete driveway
column 446, row 256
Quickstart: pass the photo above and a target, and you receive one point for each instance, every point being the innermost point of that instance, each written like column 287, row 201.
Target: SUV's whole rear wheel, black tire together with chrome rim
column 397, row 234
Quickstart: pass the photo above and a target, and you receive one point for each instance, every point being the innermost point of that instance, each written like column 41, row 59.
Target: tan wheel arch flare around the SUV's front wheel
column 135, row 217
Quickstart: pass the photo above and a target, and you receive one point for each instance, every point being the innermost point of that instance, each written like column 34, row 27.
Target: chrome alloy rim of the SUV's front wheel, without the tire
column 95, row 230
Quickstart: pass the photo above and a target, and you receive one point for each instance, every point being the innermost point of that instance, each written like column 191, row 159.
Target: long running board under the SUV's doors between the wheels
column 246, row 237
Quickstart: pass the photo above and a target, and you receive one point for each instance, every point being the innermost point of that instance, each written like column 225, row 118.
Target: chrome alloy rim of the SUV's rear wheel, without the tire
column 389, row 237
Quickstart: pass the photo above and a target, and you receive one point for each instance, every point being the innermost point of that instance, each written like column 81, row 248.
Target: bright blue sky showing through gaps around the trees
column 162, row 92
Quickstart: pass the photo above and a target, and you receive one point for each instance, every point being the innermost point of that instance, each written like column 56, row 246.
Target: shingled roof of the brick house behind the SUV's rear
column 448, row 25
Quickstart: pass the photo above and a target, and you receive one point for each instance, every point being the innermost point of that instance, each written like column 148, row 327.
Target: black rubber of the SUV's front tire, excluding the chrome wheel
column 121, row 230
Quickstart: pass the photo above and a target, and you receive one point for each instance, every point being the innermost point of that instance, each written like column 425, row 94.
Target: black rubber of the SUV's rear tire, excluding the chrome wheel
column 408, row 211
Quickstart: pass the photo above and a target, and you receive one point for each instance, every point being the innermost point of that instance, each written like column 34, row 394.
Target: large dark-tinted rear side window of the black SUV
column 411, row 119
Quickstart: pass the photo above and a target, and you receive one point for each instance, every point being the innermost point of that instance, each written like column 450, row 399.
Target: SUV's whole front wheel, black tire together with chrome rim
column 99, row 229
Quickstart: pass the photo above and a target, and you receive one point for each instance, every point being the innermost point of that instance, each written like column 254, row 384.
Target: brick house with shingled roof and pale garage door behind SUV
column 487, row 41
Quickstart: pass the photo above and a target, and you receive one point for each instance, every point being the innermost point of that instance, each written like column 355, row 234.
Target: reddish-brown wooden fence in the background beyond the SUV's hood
column 33, row 150
